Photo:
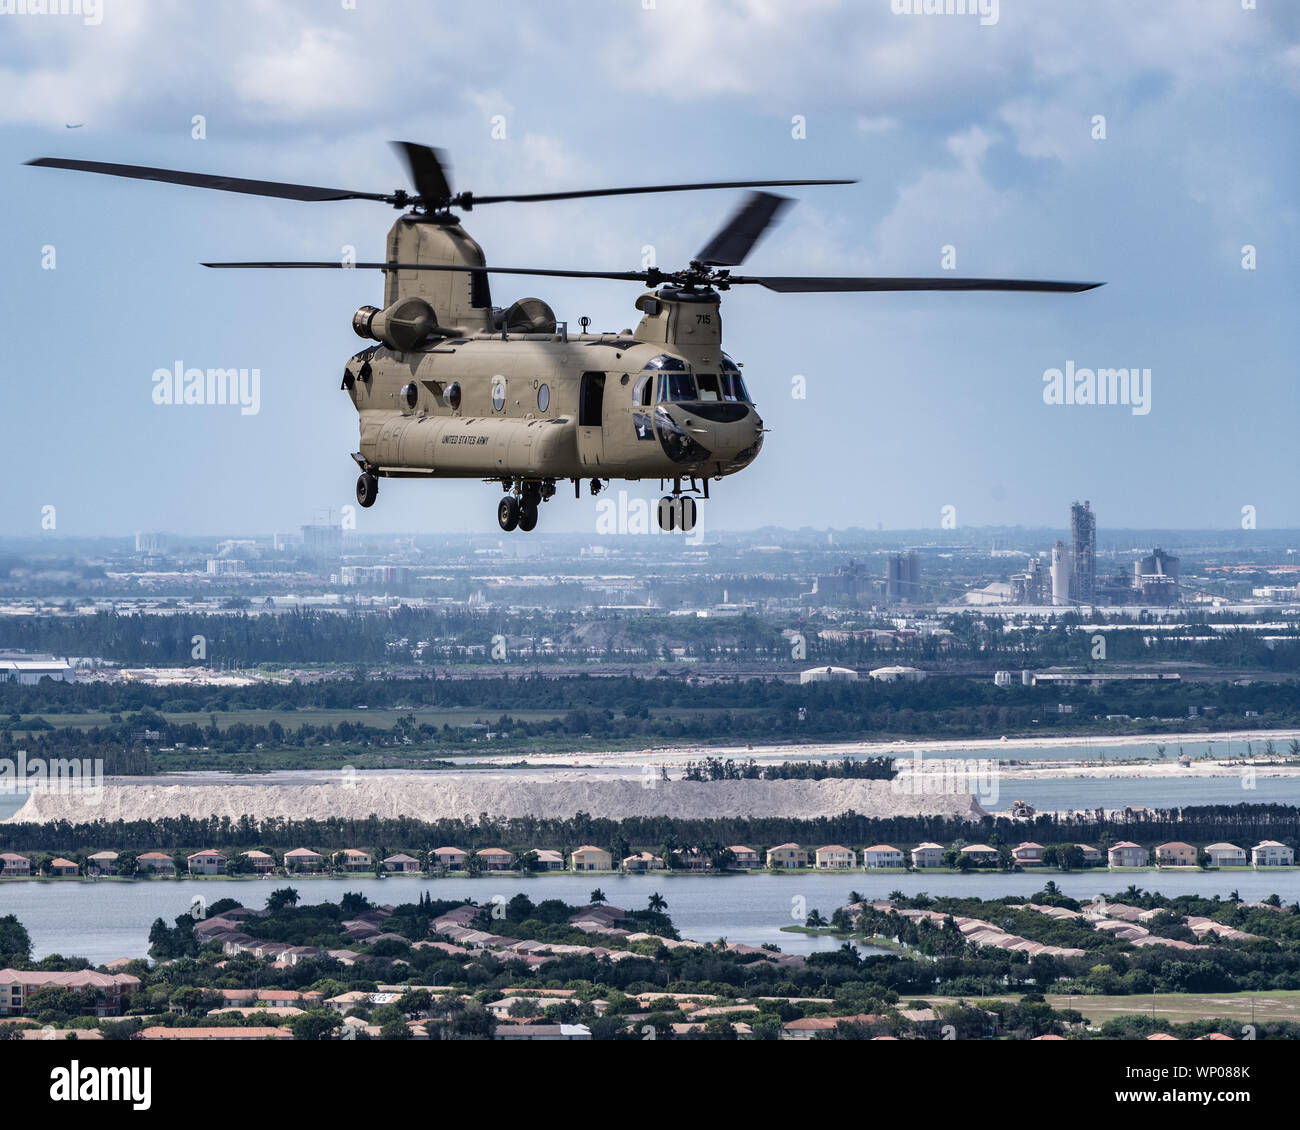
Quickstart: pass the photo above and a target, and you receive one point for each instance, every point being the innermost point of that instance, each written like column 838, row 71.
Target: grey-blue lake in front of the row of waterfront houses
column 109, row 920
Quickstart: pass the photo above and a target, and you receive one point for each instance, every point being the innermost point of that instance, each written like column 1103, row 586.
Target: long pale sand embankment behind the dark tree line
column 444, row 798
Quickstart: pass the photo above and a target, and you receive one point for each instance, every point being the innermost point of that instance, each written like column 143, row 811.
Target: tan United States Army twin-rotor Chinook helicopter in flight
column 457, row 388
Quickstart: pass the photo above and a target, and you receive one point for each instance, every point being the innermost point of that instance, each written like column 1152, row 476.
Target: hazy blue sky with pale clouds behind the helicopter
column 977, row 137
